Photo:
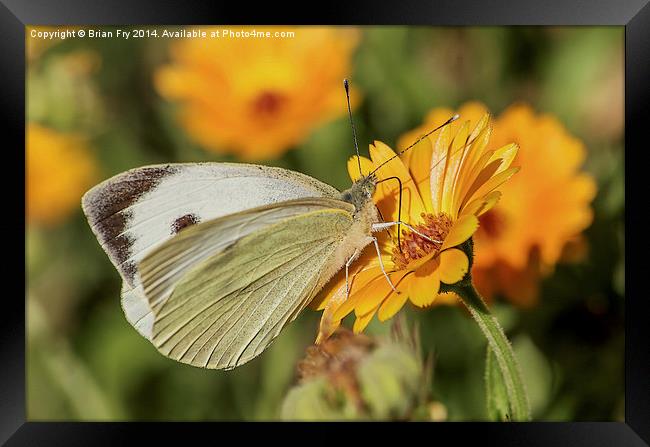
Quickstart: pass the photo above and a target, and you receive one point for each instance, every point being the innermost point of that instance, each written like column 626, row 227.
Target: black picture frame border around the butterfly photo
column 634, row 15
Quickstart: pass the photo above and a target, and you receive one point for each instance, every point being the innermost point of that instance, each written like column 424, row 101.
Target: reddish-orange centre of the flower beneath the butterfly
column 414, row 246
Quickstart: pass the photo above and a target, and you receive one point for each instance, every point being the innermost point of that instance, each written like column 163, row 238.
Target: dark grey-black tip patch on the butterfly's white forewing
column 106, row 207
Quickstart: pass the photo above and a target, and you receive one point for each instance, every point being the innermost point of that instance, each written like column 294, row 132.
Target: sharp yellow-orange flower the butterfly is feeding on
column 448, row 180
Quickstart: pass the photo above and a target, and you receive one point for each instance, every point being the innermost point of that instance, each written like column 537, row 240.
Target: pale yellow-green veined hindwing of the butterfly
column 226, row 307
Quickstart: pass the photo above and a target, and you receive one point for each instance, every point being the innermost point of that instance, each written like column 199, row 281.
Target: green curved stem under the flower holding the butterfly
column 500, row 346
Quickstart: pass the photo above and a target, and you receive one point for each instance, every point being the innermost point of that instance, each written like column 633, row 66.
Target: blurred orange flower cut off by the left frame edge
column 59, row 170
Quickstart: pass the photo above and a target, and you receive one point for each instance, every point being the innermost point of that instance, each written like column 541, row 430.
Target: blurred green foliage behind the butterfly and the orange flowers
column 85, row 362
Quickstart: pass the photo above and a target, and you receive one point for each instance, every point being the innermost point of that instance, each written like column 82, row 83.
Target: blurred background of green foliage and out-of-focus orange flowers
column 99, row 106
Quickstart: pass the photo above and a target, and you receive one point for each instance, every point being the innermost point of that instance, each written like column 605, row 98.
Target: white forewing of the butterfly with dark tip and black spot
column 136, row 211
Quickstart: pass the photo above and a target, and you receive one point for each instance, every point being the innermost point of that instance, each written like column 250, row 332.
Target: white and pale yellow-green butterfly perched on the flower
column 216, row 258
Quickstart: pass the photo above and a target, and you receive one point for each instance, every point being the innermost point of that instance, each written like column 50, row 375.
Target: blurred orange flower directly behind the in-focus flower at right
column 544, row 208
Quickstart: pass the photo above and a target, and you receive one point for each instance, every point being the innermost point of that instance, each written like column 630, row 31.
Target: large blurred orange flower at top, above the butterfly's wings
column 258, row 97
